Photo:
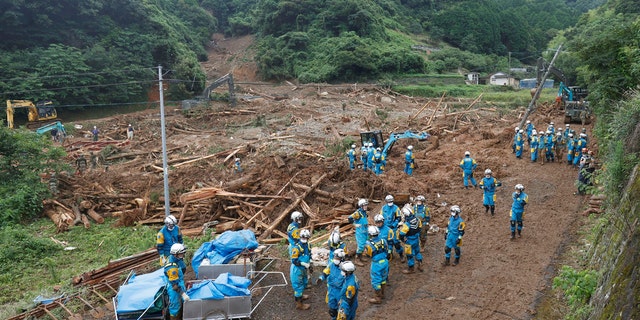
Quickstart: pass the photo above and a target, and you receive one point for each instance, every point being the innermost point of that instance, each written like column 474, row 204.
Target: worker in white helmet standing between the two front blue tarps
column 174, row 271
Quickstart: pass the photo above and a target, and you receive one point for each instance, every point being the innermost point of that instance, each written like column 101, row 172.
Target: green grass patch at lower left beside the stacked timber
column 33, row 264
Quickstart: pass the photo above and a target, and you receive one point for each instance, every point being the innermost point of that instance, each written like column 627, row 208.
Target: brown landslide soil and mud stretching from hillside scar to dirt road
column 496, row 279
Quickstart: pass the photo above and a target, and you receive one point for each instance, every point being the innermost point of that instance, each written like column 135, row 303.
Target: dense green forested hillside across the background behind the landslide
column 90, row 52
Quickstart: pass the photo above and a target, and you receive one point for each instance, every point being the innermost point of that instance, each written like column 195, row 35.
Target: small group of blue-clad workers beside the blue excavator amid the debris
column 374, row 159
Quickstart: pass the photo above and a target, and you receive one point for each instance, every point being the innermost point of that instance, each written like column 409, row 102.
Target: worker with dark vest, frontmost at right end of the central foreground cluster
column 409, row 234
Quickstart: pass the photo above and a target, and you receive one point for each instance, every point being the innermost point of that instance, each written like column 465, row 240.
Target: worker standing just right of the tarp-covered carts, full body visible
column 300, row 268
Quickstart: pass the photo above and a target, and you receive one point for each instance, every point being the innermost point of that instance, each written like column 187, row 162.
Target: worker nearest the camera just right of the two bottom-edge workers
column 378, row 249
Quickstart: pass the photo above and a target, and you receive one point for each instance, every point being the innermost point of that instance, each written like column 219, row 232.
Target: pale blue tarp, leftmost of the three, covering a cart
column 140, row 291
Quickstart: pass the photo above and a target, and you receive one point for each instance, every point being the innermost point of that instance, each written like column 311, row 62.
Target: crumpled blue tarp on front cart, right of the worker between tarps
column 226, row 285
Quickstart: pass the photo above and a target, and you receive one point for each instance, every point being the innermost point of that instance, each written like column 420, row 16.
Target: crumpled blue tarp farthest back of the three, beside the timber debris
column 224, row 248
